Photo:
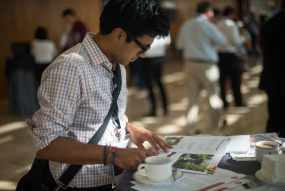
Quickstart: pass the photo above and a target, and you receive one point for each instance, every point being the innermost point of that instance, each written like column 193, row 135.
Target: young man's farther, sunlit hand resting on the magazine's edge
column 140, row 135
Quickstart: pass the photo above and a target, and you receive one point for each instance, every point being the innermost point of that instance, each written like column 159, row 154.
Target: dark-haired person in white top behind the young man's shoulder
column 44, row 51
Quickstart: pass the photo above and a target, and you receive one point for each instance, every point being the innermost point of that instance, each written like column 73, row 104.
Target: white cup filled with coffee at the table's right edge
column 265, row 147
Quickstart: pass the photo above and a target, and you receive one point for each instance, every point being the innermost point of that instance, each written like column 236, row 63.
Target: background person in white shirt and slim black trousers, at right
column 228, row 63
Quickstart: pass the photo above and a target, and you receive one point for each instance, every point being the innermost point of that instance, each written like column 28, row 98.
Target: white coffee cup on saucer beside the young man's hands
column 157, row 168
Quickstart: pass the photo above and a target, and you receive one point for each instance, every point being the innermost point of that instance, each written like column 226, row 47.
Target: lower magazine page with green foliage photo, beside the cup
column 194, row 163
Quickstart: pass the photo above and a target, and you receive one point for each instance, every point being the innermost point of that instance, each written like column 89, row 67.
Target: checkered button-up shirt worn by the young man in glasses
column 75, row 96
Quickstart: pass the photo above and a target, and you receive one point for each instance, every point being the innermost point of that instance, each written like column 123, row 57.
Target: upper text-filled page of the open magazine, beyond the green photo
column 198, row 145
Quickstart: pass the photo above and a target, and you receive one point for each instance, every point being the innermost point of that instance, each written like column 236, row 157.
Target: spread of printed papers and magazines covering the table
column 198, row 157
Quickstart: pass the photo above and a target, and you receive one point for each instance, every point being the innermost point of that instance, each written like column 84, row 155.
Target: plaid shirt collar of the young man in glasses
column 96, row 55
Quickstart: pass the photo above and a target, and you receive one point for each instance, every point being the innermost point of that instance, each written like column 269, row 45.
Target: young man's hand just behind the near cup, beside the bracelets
column 131, row 158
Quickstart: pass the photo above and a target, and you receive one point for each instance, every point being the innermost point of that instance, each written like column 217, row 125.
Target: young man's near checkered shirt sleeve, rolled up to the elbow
column 59, row 96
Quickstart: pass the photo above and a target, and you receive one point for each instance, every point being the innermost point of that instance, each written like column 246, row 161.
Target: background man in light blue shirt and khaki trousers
column 198, row 39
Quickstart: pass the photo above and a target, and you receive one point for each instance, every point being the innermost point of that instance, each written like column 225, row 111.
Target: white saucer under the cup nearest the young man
column 143, row 179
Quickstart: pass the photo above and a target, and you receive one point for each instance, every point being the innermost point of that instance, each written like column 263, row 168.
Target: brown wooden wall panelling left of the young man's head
column 20, row 18
